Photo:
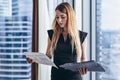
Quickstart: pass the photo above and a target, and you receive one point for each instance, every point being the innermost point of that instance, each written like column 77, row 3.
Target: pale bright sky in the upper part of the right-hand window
column 110, row 15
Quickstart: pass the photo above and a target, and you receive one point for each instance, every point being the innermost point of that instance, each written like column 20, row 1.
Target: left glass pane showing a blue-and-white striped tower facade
column 15, row 38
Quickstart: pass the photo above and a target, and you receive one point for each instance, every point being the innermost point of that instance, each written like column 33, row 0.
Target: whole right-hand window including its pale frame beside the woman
column 101, row 21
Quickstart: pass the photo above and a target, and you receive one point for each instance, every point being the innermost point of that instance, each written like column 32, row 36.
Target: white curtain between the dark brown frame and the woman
column 46, row 15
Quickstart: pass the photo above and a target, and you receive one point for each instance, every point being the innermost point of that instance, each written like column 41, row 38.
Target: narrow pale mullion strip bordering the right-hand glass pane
column 93, row 34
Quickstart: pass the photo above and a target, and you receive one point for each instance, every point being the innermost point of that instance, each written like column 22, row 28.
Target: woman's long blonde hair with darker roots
column 72, row 28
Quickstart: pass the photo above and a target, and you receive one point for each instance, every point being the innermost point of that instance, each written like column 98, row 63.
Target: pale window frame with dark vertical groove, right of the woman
column 89, row 25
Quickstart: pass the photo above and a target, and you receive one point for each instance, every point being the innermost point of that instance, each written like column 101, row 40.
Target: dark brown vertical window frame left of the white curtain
column 35, row 38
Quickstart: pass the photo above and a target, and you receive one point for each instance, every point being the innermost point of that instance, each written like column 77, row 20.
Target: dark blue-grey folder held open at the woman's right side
column 91, row 65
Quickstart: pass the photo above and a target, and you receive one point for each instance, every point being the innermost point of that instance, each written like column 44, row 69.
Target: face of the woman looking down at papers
column 61, row 18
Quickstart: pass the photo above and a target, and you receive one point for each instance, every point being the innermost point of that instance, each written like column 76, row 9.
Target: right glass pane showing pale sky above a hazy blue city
column 108, row 38
